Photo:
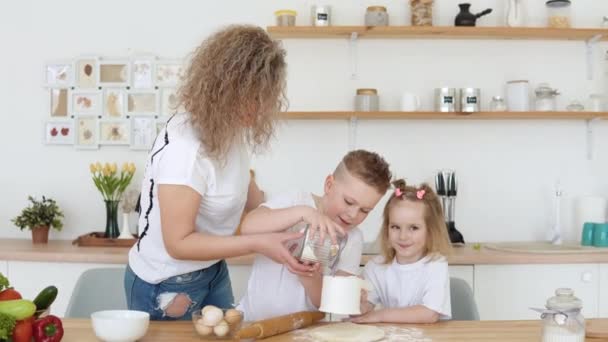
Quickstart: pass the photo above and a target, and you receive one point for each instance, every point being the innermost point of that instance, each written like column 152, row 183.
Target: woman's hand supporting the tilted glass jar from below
column 273, row 246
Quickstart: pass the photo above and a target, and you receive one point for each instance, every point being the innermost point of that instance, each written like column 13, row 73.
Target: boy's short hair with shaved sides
column 368, row 167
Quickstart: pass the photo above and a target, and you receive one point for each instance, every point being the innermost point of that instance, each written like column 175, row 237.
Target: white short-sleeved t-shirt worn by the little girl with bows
column 425, row 282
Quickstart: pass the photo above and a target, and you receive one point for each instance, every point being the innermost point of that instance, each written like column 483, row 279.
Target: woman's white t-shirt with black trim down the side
column 182, row 161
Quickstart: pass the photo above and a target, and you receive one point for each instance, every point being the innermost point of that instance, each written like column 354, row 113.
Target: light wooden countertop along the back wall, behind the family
column 64, row 251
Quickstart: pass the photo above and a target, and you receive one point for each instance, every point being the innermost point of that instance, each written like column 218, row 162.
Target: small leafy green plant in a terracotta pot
column 39, row 217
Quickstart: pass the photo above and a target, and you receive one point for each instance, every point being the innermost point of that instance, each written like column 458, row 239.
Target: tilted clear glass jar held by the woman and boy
column 308, row 248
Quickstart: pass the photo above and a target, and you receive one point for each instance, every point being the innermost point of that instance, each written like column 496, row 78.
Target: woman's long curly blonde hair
column 236, row 75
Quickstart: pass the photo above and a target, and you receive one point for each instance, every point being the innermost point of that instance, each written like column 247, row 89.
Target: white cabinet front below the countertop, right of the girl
column 506, row 292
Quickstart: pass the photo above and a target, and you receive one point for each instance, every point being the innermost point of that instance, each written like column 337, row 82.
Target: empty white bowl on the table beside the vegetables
column 120, row 325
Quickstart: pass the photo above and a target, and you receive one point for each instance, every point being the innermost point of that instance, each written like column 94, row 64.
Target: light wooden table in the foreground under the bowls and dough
column 80, row 330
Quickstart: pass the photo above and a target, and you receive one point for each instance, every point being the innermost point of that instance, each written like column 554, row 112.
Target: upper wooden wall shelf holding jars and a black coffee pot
column 439, row 32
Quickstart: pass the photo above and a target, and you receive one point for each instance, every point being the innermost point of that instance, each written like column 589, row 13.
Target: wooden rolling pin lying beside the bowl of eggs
column 278, row 325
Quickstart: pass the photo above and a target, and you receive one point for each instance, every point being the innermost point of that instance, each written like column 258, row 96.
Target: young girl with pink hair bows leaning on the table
column 411, row 279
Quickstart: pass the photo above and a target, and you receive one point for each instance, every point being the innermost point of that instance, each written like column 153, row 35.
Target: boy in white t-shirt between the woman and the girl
column 350, row 193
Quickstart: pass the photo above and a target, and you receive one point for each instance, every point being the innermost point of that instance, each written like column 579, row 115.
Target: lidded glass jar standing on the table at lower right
column 563, row 321
